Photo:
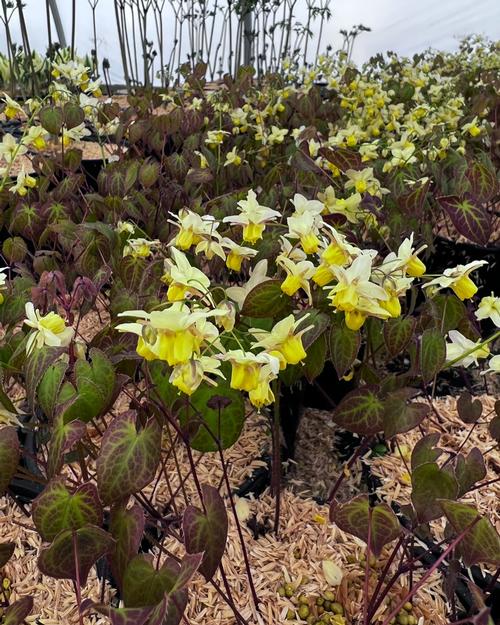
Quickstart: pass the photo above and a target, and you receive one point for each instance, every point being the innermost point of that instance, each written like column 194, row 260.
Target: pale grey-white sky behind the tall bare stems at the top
column 405, row 26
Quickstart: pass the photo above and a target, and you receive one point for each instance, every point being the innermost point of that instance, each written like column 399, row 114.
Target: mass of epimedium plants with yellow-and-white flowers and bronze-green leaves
column 231, row 245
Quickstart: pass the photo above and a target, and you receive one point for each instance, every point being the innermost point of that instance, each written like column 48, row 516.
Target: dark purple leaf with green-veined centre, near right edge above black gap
column 470, row 218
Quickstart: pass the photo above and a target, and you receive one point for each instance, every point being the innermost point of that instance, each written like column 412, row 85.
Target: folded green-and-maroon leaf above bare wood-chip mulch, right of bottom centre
column 356, row 517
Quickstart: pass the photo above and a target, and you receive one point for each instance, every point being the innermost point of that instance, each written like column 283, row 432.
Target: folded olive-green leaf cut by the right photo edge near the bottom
column 482, row 542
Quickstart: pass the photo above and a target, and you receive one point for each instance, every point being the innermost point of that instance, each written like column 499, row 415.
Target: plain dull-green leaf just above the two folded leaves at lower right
column 429, row 484
